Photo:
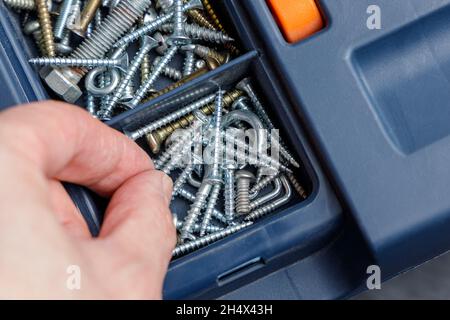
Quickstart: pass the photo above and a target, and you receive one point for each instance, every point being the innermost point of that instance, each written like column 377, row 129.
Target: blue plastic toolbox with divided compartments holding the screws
column 366, row 111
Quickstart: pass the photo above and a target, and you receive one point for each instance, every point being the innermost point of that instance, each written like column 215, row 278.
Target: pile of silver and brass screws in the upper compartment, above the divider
column 92, row 39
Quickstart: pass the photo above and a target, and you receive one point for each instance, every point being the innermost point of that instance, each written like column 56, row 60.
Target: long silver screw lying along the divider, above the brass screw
column 171, row 117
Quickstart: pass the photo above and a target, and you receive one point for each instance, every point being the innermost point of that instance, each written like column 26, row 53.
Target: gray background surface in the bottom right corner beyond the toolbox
column 429, row 281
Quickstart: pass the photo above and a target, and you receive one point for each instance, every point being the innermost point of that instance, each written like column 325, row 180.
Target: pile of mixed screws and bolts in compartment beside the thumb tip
column 254, row 184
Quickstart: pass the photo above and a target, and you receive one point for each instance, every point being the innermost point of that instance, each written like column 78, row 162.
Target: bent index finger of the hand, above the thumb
column 66, row 143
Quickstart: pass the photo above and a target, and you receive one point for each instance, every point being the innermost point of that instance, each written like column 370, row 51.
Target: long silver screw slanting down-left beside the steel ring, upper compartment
column 149, row 44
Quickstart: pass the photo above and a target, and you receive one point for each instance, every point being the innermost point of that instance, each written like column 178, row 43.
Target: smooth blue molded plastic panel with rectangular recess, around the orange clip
column 375, row 103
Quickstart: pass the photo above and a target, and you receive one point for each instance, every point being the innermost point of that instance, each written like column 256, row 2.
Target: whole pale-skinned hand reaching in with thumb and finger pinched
column 41, row 231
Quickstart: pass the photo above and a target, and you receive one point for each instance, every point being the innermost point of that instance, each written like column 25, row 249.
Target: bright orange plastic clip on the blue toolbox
column 298, row 19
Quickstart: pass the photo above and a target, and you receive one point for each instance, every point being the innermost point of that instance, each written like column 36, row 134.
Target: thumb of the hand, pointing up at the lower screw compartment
column 138, row 235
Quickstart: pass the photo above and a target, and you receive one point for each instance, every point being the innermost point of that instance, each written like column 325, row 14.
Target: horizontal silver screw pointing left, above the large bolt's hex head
column 121, row 63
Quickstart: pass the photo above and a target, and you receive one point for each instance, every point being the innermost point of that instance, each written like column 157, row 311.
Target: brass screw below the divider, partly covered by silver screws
column 155, row 139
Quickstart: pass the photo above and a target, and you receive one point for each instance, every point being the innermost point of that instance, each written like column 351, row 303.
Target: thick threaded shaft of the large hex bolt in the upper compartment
column 123, row 16
